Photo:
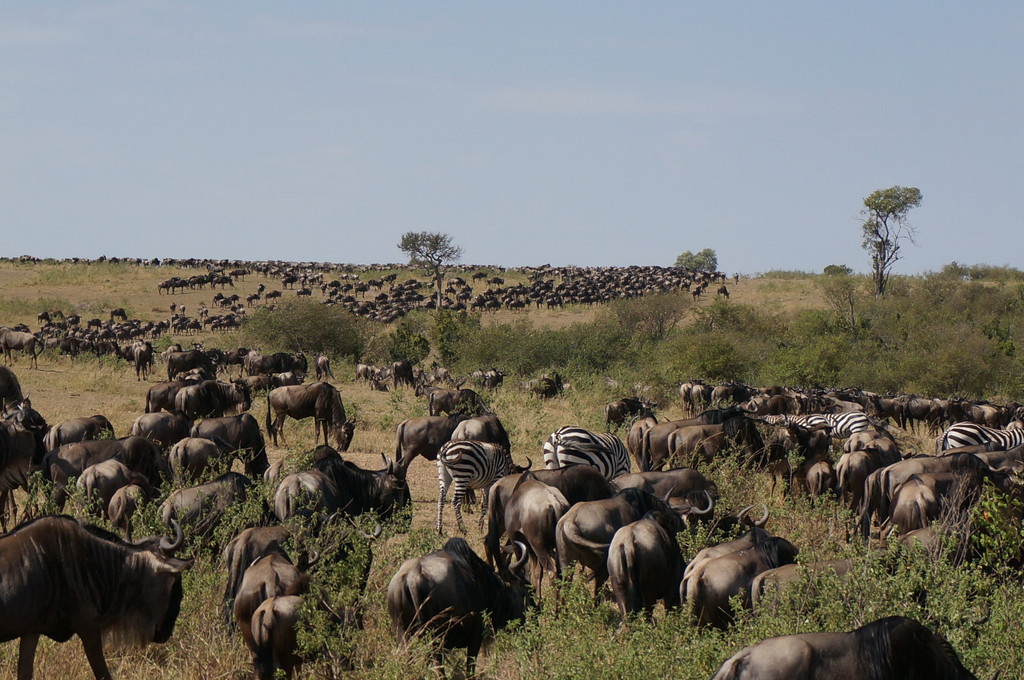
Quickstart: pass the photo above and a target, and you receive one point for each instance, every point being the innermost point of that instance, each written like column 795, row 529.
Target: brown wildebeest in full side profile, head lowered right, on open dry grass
column 320, row 401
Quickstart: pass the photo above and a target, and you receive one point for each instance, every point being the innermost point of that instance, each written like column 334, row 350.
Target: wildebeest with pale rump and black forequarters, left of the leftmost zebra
column 337, row 486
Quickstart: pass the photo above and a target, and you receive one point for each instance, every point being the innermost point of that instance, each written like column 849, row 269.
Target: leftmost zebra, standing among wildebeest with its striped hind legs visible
column 464, row 465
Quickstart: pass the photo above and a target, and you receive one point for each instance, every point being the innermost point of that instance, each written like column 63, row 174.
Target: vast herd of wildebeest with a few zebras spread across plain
column 617, row 508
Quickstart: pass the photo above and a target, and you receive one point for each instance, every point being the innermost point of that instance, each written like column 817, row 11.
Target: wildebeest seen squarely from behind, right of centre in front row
column 646, row 565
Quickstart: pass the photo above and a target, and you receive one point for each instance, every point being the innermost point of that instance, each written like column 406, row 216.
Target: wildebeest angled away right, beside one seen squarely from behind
column 710, row 586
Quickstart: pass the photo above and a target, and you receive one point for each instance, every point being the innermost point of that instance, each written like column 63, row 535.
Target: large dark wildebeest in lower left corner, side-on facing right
column 56, row 555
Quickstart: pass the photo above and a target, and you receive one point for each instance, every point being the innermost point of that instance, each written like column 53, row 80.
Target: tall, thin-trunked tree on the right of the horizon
column 886, row 228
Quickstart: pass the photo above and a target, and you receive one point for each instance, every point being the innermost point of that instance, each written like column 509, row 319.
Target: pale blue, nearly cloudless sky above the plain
column 571, row 134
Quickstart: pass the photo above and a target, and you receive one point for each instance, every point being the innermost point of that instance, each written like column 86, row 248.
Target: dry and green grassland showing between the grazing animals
column 567, row 637
